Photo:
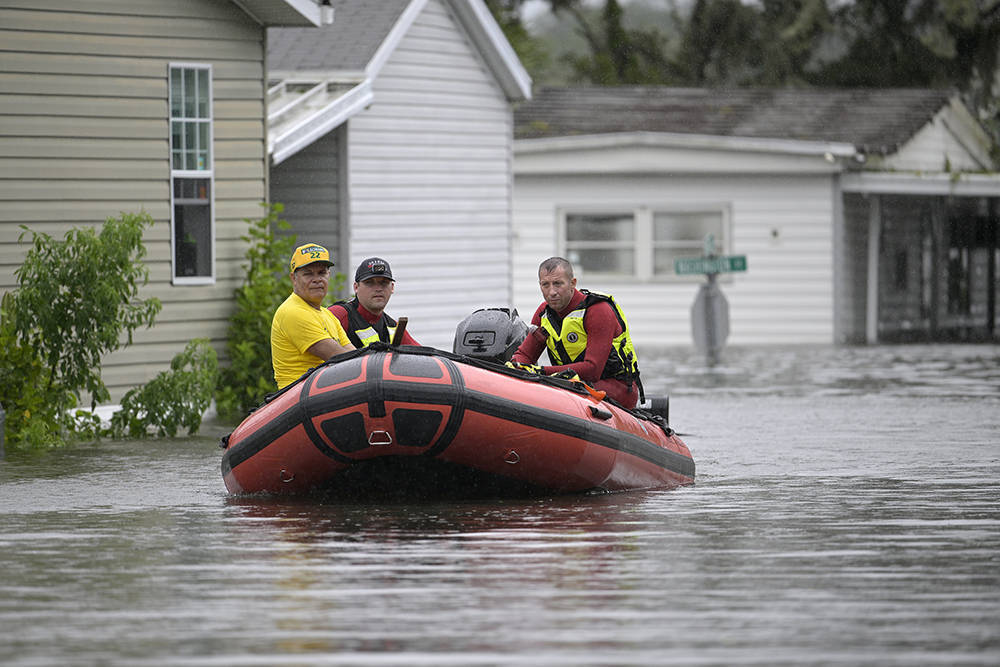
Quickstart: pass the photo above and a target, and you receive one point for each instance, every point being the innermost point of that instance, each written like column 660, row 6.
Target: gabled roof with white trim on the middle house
column 320, row 77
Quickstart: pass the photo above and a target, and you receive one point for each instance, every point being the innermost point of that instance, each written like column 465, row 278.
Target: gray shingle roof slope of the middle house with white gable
column 359, row 27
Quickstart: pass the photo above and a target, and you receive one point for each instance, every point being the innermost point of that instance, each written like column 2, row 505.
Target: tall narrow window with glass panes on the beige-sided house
column 193, row 237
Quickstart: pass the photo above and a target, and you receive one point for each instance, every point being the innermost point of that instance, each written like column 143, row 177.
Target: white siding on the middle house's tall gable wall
column 430, row 178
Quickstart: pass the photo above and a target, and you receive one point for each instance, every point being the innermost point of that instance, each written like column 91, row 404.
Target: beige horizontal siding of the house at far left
column 85, row 137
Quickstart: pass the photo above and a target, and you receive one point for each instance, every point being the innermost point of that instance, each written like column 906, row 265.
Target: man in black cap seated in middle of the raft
column 363, row 317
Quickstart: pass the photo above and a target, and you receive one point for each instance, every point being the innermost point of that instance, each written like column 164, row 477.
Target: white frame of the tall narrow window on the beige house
column 206, row 173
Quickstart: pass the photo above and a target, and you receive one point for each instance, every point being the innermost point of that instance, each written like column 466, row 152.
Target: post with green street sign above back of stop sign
column 710, row 311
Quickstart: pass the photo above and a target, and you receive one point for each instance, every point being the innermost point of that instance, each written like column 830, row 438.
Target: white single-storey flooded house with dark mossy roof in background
column 864, row 215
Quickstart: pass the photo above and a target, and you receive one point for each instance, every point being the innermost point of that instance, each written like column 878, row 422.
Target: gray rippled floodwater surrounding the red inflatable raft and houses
column 846, row 512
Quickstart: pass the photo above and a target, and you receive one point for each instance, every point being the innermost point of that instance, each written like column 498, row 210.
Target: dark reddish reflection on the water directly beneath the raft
column 554, row 529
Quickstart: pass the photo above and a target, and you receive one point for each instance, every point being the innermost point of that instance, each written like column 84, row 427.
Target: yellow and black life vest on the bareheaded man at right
column 567, row 340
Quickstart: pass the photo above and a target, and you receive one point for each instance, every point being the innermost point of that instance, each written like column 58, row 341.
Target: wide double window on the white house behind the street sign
column 641, row 243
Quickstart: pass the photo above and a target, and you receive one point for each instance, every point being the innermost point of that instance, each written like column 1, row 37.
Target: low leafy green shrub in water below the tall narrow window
column 173, row 399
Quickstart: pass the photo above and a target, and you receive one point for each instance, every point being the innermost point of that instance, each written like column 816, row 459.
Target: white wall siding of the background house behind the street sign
column 781, row 223
